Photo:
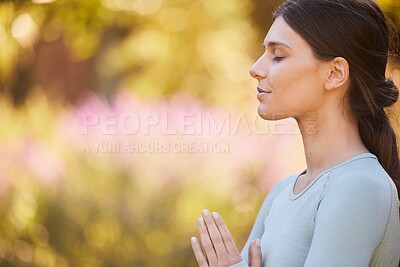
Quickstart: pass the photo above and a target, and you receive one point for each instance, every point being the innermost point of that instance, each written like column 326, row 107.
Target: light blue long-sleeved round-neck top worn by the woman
column 348, row 216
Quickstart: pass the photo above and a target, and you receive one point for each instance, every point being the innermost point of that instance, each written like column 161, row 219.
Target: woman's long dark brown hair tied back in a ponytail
column 358, row 31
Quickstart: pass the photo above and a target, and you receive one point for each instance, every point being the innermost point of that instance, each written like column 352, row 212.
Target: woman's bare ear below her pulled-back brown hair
column 338, row 73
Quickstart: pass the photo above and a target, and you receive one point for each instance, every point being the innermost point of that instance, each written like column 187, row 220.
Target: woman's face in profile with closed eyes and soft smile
column 290, row 82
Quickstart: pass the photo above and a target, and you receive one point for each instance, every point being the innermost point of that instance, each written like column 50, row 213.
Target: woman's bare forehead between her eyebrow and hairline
column 280, row 31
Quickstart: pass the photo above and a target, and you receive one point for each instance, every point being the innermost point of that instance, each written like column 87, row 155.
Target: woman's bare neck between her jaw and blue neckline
column 331, row 140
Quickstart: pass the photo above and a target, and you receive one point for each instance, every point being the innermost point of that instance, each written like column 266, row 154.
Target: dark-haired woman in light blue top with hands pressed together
column 324, row 63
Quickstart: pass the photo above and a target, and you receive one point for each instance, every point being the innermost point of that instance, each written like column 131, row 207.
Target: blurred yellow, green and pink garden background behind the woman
column 122, row 119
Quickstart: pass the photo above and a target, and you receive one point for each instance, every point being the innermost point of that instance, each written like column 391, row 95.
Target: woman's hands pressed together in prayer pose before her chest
column 217, row 248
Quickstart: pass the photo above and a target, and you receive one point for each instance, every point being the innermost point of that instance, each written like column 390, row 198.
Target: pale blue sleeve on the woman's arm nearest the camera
column 350, row 221
